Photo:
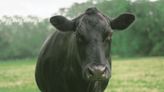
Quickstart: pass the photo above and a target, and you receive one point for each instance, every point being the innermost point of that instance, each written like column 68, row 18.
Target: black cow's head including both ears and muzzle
column 93, row 34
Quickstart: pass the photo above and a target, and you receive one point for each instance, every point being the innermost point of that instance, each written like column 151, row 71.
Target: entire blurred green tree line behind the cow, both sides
column 22, row 37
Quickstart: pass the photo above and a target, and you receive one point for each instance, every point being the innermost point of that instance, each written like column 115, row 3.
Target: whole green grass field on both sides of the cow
column 128, row 75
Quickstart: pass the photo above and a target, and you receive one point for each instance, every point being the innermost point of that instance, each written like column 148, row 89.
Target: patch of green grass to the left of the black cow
column 17, row 76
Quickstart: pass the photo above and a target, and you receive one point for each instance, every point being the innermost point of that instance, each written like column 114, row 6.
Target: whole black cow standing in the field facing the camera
column 77, row 58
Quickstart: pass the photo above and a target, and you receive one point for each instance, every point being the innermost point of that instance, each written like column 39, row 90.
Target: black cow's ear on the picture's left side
column 62, row 23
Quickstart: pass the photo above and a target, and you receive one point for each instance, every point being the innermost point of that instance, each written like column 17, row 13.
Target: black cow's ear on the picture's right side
column 122, row 21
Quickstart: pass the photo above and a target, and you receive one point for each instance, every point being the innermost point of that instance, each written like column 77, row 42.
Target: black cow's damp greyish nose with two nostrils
column 97, row 72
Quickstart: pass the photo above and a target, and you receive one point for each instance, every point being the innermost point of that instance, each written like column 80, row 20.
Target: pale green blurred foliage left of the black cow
column 22, row 37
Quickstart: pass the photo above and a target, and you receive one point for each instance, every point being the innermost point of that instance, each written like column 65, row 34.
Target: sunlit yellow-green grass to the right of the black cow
column 137, row 75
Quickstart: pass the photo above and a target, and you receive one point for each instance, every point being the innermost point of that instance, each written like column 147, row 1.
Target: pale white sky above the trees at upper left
column 41, row 8
